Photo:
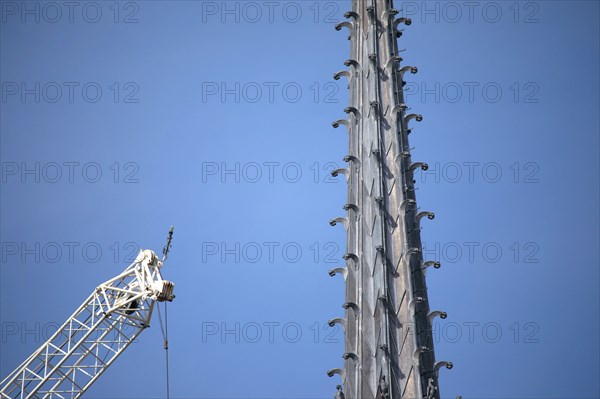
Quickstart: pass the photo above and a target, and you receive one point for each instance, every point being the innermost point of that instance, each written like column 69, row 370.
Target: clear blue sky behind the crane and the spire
column 121, row 119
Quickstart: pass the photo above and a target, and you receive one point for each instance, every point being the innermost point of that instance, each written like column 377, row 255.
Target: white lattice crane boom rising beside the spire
column 89, row 341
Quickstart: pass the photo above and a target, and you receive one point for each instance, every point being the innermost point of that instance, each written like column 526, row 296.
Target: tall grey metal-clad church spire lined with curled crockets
column 388, row 349
